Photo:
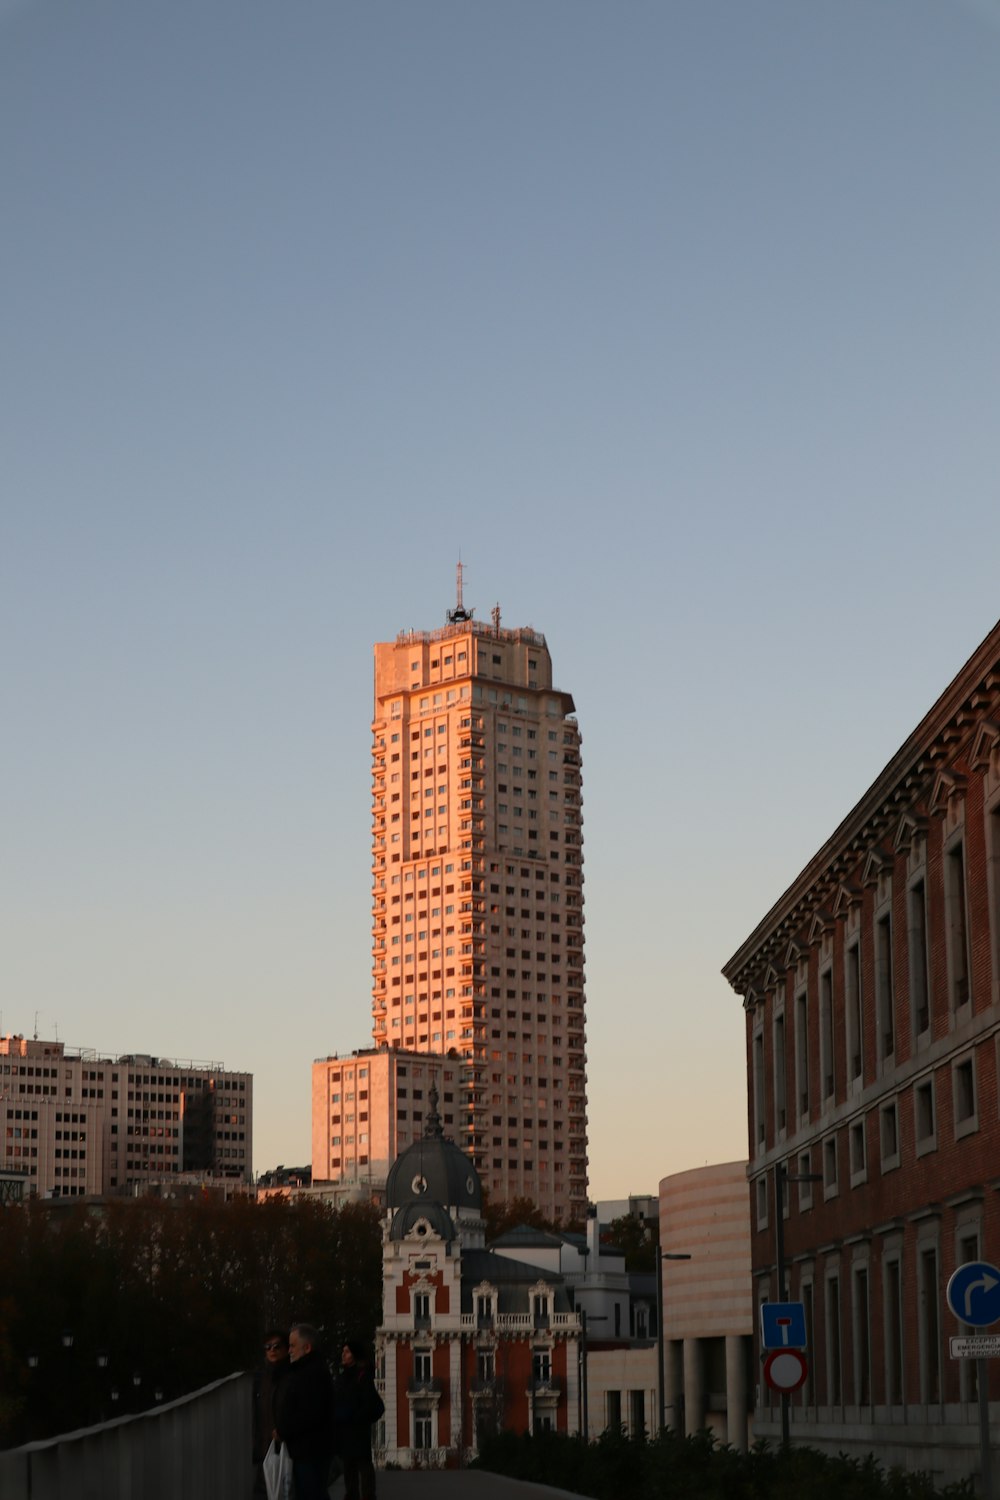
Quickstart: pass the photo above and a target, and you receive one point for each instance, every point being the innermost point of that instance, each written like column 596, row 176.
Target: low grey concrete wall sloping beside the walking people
column 197, row 1448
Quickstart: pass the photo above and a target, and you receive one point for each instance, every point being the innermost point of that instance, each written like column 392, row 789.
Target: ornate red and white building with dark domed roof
column 472, row 1340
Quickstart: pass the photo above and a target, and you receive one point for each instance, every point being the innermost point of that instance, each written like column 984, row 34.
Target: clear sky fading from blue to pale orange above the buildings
column 680, row 320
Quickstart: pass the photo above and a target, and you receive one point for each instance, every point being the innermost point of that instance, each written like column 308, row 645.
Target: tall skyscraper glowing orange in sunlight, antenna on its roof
column 478, row 895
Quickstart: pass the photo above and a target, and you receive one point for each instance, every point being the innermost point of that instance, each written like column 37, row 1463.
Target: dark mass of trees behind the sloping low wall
column 175, row 1291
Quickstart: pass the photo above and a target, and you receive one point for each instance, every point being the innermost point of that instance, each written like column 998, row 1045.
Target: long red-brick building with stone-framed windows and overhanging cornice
column 872, row 997
